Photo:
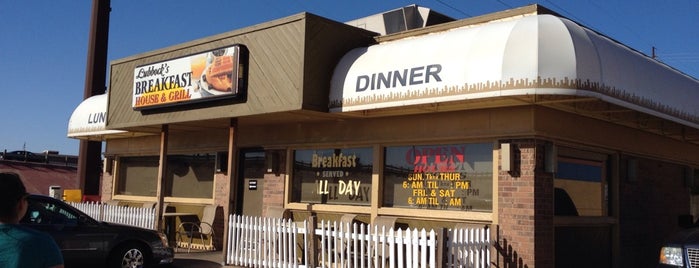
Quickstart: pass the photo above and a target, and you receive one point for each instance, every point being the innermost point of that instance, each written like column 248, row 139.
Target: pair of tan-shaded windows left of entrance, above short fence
column 188, row 176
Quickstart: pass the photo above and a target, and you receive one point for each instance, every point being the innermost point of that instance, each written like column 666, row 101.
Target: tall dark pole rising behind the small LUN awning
column 90, row 152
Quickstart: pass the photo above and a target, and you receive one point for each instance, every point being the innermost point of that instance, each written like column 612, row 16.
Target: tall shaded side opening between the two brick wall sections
column 581, row 209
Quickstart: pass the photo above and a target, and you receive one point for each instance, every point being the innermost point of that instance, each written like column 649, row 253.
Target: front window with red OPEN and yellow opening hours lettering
column 446, row 177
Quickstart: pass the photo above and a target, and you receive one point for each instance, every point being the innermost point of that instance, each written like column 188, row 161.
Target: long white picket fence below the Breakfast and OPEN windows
column 271, row 242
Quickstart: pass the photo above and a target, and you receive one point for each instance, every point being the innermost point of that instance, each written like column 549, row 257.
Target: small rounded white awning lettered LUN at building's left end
column 89, row 120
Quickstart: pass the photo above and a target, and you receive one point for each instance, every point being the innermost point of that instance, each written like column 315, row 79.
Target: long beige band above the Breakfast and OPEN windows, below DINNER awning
column 446, row 126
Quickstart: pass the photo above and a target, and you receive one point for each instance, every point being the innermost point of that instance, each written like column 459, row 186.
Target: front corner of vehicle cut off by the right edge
column 681, row 250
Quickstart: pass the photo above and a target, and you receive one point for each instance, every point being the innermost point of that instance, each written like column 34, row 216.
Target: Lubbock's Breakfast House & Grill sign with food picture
column 214, row 74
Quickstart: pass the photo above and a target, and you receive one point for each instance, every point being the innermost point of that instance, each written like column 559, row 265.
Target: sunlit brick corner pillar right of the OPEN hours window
column 525, row 215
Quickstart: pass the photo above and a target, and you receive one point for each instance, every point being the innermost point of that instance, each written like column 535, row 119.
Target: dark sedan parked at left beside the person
column 86, row 242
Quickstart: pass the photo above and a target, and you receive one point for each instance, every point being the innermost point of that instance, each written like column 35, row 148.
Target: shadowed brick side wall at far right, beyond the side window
column 650, row 205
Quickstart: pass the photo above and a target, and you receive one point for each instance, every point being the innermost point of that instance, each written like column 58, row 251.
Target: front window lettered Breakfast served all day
column 333, row 176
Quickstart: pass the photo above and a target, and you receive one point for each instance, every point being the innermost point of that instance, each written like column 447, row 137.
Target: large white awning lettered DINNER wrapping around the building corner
column 520, row 56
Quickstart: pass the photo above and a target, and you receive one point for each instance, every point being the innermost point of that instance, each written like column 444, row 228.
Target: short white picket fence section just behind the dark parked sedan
column 135, row 216
